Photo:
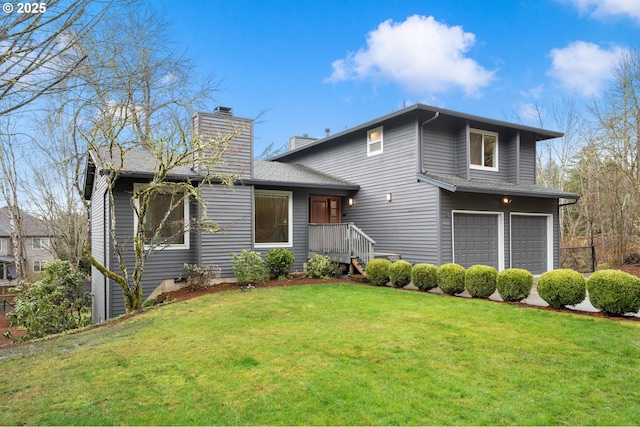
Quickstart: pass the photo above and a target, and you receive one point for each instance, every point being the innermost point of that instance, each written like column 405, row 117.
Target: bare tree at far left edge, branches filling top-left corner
column 39, row 54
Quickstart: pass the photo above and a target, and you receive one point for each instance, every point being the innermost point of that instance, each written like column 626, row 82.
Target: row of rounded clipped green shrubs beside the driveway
column 611, row 291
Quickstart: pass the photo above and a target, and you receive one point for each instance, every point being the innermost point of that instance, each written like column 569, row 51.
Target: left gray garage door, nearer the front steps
column 476, row 239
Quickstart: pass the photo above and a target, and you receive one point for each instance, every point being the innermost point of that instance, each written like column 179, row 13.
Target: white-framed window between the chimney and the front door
column 273, row 218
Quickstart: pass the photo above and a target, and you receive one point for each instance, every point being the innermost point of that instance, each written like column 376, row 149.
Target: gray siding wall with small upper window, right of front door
column 407, row 225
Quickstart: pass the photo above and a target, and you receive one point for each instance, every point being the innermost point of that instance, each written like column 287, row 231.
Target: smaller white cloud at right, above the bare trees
column 583, row 66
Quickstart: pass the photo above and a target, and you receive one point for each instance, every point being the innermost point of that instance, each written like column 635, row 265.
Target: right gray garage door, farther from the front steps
column 529, row 244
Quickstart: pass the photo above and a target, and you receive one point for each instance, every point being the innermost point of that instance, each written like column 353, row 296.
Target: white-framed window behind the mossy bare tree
column 174, row 234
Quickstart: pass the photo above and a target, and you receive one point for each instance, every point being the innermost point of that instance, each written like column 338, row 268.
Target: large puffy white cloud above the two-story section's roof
column 421, row 54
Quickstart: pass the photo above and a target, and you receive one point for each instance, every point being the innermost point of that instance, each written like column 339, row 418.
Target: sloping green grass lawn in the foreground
column 331, row 354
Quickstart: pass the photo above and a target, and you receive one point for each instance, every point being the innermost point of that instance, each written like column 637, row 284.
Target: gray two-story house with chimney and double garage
column 424, row 184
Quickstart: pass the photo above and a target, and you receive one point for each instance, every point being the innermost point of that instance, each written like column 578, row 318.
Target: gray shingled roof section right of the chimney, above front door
column 292, row 175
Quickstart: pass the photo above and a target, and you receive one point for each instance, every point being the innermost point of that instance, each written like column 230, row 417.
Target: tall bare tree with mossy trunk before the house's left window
column 137, row 96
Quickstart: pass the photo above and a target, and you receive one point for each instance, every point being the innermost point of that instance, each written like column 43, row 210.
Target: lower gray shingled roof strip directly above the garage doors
column 455, row 184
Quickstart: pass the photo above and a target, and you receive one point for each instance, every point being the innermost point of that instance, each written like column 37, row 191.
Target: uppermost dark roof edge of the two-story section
column 542, row 134
